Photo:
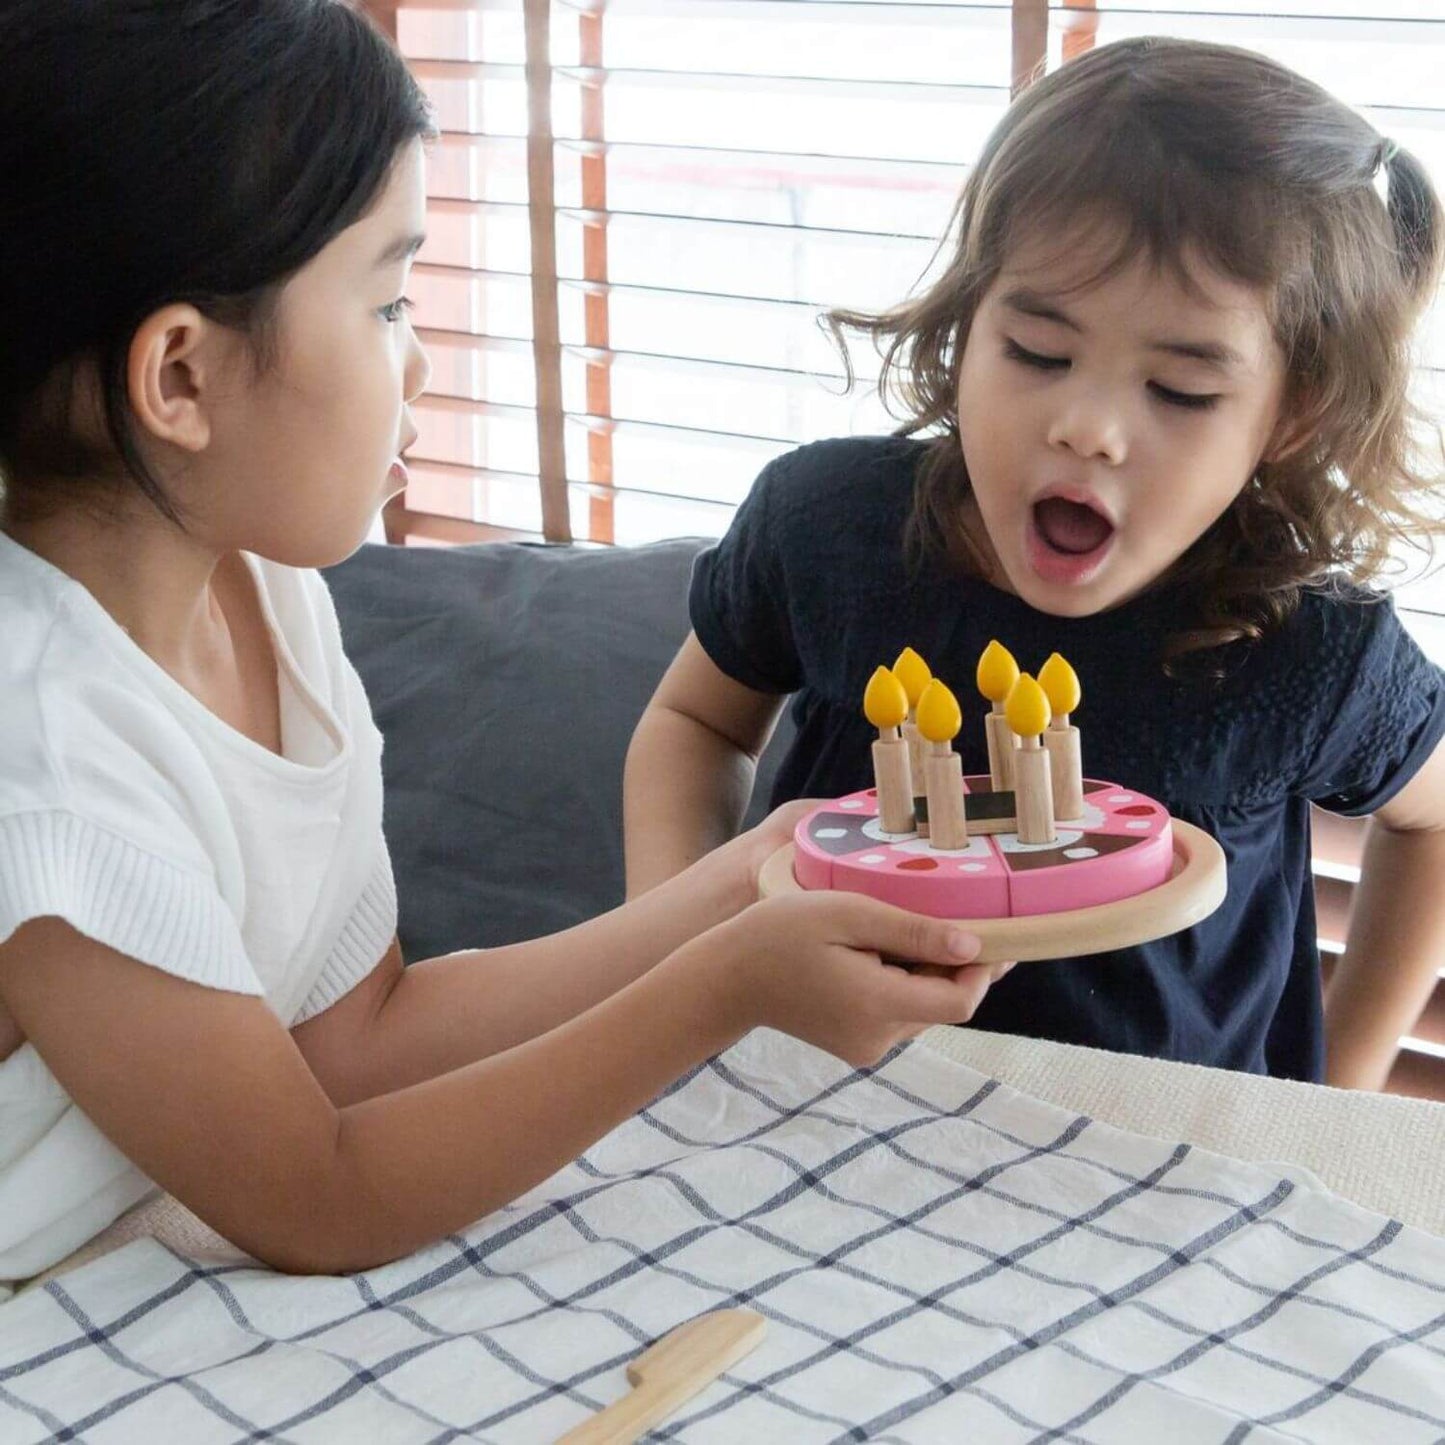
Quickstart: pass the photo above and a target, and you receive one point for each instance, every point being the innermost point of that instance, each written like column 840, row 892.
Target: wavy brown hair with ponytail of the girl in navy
column 1206, row 154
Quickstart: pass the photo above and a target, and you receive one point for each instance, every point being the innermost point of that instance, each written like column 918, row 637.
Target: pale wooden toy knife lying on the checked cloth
column 678, row 1366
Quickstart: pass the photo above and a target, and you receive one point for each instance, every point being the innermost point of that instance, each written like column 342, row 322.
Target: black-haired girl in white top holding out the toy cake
column 207, row 216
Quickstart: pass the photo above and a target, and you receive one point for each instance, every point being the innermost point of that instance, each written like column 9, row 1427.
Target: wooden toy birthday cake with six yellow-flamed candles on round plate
column 1041, row 860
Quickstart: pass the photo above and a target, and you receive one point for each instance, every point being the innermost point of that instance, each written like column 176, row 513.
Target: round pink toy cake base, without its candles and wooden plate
column 1121, row 847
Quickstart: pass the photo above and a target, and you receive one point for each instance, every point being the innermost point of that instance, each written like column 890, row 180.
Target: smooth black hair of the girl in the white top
column 170, row 151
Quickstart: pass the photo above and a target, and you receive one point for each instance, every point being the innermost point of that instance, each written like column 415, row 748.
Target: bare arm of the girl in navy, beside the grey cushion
column 690, row 767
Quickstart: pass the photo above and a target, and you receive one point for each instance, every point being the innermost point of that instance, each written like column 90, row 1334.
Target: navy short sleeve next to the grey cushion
column 739, row 600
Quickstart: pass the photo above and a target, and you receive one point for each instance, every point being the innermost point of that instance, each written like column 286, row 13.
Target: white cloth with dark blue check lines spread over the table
column 939, row 1256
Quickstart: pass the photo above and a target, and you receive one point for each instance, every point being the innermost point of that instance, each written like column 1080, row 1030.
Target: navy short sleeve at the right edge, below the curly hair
column 1384, row 725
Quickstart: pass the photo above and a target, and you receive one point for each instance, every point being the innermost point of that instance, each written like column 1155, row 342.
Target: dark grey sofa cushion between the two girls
column 508, row 681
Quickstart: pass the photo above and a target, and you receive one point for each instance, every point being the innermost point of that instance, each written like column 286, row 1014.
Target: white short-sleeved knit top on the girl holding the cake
column 135, row 814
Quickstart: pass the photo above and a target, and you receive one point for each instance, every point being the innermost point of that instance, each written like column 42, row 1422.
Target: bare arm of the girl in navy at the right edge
column 1397, row 944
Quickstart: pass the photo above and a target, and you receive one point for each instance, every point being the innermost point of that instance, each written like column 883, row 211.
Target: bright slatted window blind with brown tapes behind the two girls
column 641, row 207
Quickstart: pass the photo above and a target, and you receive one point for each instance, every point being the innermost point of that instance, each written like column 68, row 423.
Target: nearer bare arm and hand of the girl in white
column 209, row 1095
